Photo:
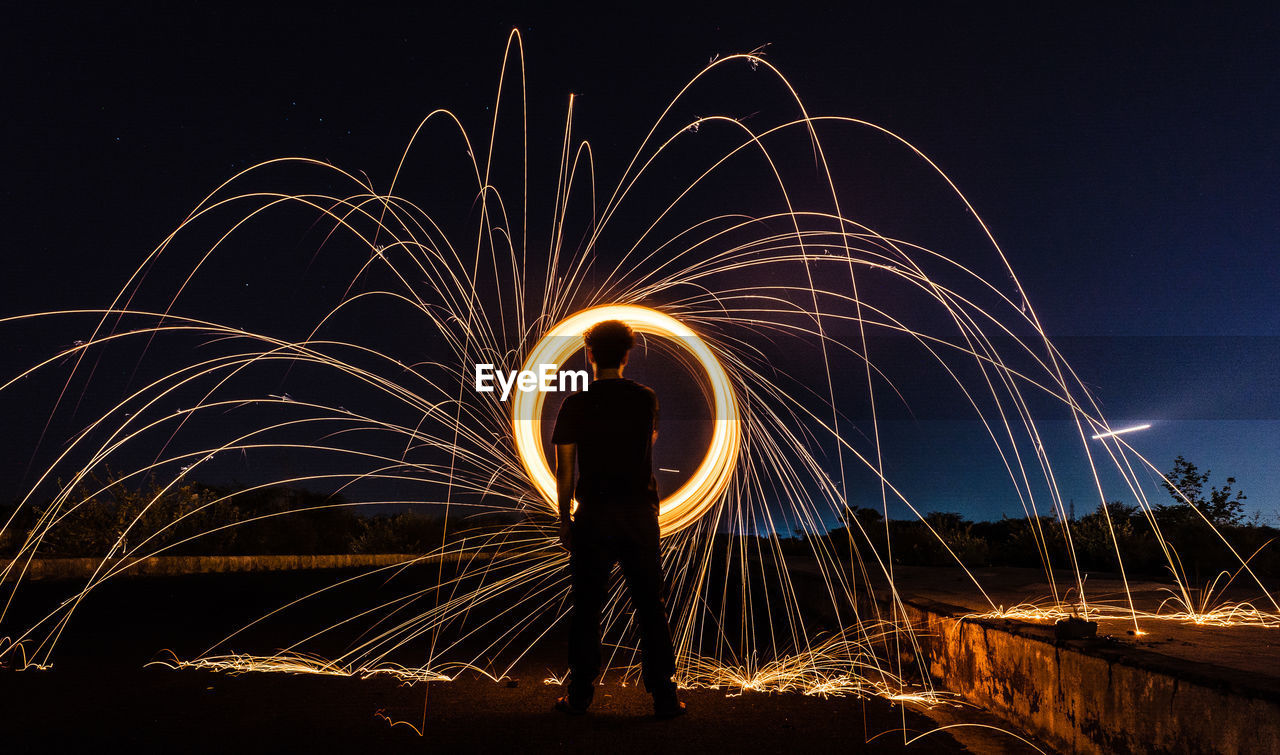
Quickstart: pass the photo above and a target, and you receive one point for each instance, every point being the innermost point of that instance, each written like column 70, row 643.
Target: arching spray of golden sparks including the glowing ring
column 380, row 413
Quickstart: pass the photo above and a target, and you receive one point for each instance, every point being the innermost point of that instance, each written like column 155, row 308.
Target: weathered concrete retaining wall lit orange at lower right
column 1096, row 695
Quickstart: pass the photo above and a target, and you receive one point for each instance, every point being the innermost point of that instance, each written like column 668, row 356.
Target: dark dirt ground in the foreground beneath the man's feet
column 102, row 695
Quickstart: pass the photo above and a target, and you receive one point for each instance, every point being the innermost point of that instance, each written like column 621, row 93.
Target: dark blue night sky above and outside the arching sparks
column 1127, row 161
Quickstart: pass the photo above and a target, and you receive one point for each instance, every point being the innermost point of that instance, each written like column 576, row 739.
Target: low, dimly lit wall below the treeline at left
column 81, row 569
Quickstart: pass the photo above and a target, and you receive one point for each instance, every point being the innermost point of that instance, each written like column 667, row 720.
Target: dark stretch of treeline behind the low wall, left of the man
column 205, row 520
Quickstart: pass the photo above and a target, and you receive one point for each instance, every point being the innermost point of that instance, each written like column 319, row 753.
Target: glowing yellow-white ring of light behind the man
column 708, row 483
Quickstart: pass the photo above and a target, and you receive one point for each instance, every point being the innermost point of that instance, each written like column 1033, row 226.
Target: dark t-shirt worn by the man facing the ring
column 612, row 423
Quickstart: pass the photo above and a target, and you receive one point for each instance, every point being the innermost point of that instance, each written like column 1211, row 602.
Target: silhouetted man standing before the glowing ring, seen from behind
column 609, row 431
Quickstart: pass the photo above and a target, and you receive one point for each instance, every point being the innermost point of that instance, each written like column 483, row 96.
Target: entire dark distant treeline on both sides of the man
column 204, row 520
